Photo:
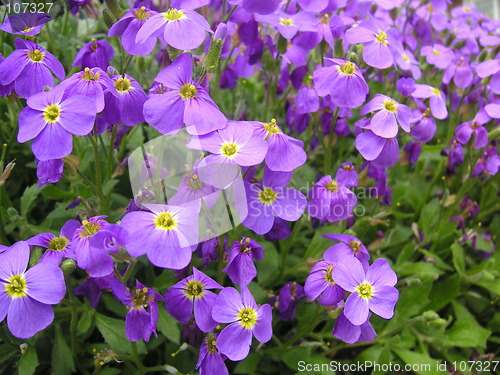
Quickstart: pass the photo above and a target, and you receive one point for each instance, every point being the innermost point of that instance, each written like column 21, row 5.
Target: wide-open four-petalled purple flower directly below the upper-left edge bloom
column 51, row 119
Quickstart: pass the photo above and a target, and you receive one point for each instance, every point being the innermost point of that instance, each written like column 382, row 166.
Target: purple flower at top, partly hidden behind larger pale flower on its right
column 128, row 26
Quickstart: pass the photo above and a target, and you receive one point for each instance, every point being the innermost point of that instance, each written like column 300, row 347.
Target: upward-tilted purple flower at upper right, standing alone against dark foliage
column 337, row 78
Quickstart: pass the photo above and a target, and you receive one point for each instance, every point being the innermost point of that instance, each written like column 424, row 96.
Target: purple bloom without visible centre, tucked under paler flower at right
column 382, row 152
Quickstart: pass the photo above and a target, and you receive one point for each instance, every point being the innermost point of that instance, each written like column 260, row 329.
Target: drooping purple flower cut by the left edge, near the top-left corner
column 29, row 68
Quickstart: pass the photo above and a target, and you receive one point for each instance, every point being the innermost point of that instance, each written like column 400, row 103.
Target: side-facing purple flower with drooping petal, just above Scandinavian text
column 284, row 153
